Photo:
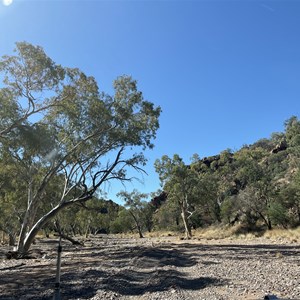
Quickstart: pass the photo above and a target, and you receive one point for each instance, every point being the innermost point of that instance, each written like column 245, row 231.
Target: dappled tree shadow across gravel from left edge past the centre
column 127, row 271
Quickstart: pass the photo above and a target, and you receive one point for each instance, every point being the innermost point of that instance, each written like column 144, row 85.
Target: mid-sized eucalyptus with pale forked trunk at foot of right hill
column 180, row 182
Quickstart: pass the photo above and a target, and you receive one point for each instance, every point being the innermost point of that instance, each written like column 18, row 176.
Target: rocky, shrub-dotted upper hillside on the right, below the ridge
column 263, row 161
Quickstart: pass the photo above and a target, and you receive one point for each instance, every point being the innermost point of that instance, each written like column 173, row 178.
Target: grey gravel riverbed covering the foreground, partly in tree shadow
column 157, row 268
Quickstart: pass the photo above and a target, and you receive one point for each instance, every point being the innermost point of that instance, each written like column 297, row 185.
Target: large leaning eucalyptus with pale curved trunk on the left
column 82, row 136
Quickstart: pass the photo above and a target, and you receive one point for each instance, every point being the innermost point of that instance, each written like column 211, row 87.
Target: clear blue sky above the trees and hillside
column 226, row 73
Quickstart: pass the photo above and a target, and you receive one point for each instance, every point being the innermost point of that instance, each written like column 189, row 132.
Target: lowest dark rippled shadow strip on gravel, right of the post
column 131, row 283
